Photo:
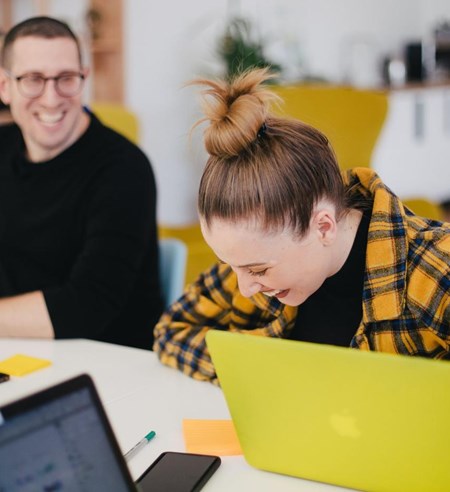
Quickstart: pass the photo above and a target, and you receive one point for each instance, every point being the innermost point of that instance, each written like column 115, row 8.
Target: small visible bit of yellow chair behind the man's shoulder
column 119, row 118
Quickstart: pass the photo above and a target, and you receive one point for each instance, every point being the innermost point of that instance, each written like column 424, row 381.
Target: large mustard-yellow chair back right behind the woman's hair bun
column 351, row 118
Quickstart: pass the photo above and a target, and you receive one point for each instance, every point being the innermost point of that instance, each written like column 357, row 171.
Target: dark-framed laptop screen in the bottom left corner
column 60, row 439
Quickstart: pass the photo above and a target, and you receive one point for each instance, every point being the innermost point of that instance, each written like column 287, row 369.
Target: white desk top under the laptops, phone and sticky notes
column 140, row 395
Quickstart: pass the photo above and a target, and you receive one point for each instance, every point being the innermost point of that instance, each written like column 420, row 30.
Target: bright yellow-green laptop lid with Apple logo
column 364, row 420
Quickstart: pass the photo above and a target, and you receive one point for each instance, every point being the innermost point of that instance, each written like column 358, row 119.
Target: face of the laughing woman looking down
column 276, row 265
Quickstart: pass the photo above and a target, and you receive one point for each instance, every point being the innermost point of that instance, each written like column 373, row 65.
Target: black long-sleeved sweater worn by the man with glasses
column 81, row 227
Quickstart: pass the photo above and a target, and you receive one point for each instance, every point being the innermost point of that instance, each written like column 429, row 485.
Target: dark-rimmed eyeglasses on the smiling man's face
column 33, row 84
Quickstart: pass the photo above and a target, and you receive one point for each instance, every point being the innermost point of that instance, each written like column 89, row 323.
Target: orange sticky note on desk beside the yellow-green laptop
column 216, row 437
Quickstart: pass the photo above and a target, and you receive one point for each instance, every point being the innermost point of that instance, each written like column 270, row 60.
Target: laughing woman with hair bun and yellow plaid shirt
column 307, row 253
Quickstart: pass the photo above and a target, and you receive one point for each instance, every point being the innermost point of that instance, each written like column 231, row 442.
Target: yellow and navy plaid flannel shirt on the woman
column 406, row 293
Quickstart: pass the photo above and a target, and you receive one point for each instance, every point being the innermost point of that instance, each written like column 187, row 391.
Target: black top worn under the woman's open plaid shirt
column 333, row 313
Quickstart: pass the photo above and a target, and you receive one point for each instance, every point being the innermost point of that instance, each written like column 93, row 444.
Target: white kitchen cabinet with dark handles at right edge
column 413, row 152
